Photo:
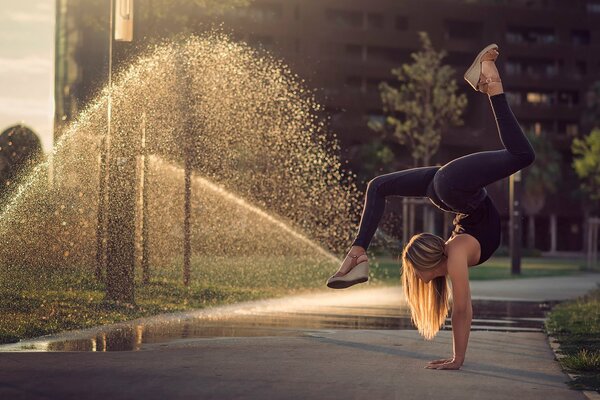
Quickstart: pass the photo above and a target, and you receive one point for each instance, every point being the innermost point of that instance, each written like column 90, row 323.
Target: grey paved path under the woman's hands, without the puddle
column 312, row 363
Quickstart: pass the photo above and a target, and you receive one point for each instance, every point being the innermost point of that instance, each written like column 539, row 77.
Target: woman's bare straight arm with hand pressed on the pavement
column 462, row 311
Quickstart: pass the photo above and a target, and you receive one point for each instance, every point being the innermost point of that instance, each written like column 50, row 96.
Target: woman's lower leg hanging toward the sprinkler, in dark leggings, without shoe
column 410, row 182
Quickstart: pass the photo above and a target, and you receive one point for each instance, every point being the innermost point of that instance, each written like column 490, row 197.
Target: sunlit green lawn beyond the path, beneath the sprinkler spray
column 49, row 300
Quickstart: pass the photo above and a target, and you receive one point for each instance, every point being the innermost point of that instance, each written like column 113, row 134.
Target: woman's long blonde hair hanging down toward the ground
column 428, row 302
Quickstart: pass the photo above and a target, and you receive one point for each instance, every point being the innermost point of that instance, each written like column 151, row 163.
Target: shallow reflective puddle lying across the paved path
column 487, row 315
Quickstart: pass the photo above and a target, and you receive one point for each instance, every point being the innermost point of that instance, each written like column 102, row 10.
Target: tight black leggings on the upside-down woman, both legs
column 460, row 183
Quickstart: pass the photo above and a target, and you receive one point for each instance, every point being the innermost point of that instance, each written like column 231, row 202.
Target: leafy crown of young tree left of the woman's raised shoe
column 424, row 103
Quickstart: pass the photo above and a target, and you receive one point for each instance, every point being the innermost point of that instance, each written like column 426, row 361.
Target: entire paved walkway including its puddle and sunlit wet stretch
column 353, row 343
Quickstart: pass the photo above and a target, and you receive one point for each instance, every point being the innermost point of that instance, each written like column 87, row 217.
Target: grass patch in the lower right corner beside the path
column 576, row 326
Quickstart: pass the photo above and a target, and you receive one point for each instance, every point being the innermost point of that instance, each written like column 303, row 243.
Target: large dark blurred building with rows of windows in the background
column 549, row 55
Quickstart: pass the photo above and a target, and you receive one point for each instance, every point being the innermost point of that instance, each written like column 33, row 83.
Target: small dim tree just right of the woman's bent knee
column 541, row 178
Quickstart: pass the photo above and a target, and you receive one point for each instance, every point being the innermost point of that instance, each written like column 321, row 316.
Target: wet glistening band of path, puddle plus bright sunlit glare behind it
column 357, row 308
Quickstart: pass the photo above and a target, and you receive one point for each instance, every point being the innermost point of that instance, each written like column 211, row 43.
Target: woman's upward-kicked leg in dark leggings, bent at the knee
column 469, row 174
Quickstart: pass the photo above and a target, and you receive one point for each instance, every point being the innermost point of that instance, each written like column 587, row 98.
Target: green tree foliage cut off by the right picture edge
column 586, row 162
